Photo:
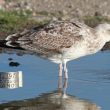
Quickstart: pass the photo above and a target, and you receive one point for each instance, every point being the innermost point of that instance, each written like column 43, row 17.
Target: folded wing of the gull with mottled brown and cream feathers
column 54, row 37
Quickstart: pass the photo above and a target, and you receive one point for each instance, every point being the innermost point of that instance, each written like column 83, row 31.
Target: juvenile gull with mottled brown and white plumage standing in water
column 61, row 41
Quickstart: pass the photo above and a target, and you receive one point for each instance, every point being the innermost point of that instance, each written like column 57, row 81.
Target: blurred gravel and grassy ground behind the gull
column 16, row 15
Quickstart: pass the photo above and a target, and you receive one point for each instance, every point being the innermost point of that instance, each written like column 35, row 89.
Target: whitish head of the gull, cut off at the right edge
column 104, row 31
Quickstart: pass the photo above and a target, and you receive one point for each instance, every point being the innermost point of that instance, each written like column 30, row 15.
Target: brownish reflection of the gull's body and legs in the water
column 55, row 100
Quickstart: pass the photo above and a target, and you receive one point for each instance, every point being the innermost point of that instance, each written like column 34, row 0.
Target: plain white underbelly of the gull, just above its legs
column 73, row 53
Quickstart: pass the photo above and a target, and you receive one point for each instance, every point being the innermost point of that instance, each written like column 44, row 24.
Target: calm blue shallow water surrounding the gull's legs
column 89, row 82
